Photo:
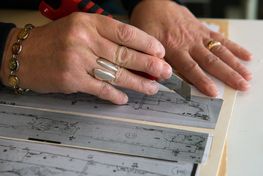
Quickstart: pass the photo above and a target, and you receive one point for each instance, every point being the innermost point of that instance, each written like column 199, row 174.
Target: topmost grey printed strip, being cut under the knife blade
column 164, row 107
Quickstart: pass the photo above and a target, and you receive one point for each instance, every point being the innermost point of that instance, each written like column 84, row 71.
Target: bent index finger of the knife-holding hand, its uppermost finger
column 129, row 36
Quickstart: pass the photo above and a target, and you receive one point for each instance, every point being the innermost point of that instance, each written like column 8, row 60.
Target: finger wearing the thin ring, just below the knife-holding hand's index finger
column 132, row 59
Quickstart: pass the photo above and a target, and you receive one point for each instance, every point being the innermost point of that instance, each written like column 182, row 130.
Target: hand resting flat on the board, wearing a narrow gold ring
column 185, row 40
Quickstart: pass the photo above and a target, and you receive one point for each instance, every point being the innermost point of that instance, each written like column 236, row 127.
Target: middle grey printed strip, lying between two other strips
column 103, row 134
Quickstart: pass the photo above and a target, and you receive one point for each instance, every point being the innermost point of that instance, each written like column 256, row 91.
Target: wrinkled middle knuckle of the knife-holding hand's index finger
column 125, row 33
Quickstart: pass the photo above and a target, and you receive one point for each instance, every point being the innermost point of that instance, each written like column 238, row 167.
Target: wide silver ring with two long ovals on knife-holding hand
column 108, row 73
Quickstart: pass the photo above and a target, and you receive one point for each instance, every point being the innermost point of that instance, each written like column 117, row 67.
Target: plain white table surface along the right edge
column 245, row 137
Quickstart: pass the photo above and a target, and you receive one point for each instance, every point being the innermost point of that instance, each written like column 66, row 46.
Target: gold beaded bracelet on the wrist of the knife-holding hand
column 13, row 64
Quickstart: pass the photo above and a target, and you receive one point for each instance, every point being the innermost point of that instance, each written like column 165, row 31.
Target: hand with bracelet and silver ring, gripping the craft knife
column 62, row 55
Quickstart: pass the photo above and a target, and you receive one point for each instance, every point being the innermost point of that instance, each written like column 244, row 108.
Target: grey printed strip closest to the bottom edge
column 31, row 159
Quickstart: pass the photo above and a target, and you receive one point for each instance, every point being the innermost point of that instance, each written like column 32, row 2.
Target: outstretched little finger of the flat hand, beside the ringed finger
column 236, row 49
